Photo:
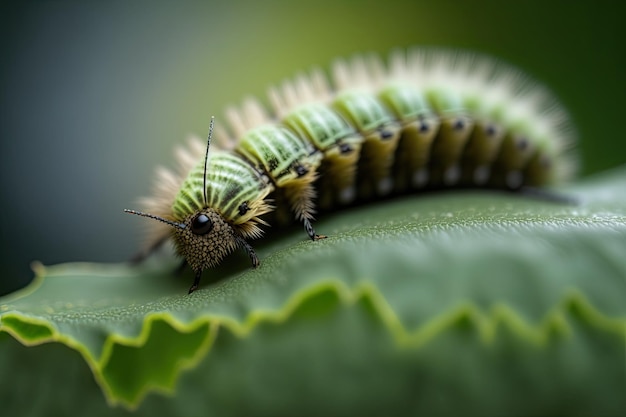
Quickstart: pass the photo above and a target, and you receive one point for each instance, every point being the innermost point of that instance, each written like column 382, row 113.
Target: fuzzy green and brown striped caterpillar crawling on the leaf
column 427, row 119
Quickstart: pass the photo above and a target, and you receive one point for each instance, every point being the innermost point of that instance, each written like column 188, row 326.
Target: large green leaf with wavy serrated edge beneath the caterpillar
column 459, row 302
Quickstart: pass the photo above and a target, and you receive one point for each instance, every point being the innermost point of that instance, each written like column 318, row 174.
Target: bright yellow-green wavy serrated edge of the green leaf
column 487, row 323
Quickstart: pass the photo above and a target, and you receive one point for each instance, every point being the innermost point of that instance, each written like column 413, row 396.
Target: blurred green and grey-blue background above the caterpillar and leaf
column 94, row 96
